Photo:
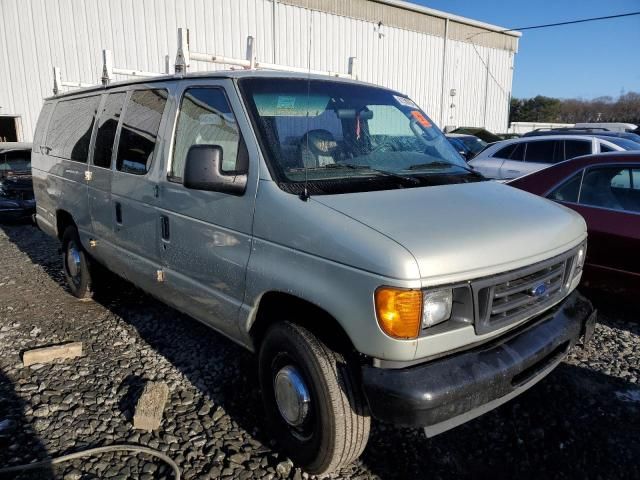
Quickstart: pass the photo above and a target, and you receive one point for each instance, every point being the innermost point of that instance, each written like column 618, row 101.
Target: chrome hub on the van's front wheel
column 292, row 395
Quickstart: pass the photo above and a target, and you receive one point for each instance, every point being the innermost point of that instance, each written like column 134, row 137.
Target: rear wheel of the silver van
column 75, row 265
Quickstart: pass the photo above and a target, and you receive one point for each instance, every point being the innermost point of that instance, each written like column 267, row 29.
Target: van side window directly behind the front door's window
column 139, row 130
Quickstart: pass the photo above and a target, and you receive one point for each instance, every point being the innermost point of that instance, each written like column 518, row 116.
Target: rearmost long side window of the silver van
column 70, row 128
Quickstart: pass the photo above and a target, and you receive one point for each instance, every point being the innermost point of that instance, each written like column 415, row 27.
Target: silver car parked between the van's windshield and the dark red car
column 514, row 158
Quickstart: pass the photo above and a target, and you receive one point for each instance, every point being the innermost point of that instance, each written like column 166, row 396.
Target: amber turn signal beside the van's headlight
column 399, row 312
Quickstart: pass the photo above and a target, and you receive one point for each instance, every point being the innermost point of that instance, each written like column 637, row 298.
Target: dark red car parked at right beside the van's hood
column 605, row 190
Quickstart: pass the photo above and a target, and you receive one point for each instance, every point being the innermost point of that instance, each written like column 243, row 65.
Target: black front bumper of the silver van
column 447, row 392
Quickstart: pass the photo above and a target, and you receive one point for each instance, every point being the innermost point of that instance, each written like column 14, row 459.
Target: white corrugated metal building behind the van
column 457, row 69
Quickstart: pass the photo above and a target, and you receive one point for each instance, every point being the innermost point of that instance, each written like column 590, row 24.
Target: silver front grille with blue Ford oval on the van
column 522, row 293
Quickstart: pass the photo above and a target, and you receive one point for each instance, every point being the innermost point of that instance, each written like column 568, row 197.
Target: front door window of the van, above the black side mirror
column 206, row 118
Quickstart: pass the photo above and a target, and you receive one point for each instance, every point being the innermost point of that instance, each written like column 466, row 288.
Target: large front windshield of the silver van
column 336, row 137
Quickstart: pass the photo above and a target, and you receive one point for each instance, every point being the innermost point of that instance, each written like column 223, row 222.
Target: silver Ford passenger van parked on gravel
column 327, row 225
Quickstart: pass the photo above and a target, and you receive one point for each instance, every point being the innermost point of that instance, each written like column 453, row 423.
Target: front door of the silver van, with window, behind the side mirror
column 206, row 236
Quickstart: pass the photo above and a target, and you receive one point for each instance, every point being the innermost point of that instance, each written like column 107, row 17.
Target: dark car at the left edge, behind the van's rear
column 16, row 189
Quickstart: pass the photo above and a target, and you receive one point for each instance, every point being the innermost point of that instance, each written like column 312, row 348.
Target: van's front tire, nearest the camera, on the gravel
column 335, row 429
